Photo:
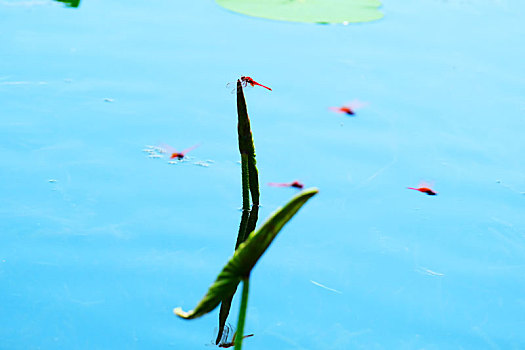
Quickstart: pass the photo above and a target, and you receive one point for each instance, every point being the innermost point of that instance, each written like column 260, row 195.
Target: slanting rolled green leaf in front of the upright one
column 246, row 256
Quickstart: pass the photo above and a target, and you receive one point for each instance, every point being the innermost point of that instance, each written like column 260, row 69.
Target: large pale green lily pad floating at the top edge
column 311, row 11
